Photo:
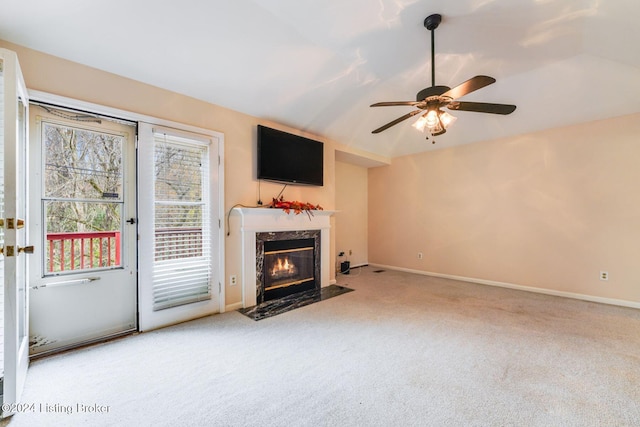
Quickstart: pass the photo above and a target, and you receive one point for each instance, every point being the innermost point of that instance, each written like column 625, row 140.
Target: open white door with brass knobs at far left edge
column 13, row 233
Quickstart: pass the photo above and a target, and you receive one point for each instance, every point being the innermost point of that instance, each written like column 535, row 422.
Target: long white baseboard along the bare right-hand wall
column 584, row 297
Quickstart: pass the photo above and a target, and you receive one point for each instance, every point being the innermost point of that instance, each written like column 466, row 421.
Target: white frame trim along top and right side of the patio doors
column 216, row 170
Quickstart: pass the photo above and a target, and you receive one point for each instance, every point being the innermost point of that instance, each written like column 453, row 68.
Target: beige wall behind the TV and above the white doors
column 60, row 77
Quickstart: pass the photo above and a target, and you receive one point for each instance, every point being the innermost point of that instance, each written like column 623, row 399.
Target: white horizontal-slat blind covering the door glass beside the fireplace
column 182, row 245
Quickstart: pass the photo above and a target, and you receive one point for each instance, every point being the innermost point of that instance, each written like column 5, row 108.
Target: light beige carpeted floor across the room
column 401, row 350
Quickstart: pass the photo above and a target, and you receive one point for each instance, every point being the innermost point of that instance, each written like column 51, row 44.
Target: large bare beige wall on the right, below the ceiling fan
column 547, row 210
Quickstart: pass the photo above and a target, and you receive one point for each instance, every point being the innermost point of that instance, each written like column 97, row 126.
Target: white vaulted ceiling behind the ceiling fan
column 317, row 65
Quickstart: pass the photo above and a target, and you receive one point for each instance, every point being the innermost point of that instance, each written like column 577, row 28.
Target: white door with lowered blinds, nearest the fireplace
column 180, row 226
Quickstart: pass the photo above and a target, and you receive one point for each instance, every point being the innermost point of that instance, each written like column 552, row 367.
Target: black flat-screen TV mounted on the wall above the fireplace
column 290, row 159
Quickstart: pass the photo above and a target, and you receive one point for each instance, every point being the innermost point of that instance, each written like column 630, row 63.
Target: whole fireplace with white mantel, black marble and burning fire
column 253, row 228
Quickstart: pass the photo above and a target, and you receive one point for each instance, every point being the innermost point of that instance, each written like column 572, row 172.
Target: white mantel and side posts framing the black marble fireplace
column 265, row 220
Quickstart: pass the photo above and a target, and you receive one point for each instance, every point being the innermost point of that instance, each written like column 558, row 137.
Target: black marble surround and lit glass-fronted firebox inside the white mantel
column 287, row 264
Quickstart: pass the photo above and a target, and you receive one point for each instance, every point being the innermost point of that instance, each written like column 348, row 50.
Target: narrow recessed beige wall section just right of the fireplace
column 351, row 218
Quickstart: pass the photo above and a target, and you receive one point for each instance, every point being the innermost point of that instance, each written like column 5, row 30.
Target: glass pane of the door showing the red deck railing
column 82, row 198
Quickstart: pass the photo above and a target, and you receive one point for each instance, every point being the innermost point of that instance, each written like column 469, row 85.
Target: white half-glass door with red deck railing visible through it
column 83, row 285
